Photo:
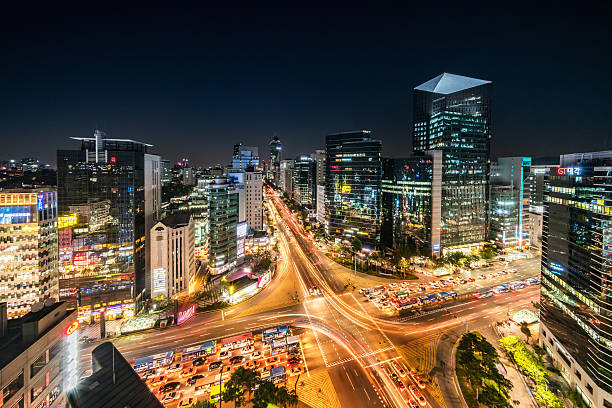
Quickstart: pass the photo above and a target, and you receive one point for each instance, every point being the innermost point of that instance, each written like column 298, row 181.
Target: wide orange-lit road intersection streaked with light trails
column 348, row 346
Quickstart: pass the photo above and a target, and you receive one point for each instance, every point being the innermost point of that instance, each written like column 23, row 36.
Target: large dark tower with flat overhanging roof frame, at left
column 123, row 174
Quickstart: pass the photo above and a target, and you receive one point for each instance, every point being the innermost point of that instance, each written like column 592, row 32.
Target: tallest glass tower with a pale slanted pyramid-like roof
column 452, row 113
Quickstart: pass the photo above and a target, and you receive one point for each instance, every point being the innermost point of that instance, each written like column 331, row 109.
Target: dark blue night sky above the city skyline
column 193, row 82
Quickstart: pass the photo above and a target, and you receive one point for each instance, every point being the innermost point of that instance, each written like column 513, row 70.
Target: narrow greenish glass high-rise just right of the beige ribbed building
column 223, row 220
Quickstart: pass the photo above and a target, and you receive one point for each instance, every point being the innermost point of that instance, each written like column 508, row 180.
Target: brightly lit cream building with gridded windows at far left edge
column 28, row 249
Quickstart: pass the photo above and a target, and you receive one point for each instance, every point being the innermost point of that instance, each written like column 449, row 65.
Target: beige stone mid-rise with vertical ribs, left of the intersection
column 172, row 255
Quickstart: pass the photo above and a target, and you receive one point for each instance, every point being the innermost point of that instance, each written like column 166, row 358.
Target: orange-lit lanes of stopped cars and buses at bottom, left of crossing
column 179, row 378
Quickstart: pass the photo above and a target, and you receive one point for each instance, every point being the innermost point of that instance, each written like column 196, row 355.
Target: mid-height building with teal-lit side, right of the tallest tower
column 509, row 202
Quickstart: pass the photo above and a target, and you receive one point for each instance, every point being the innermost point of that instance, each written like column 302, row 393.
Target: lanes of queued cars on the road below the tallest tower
column 398, row 296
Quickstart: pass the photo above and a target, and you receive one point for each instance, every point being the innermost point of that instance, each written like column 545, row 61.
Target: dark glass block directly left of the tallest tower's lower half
column 411, row 202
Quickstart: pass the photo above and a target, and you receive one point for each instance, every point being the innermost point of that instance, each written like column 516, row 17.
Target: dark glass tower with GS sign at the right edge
column 576, row 301
